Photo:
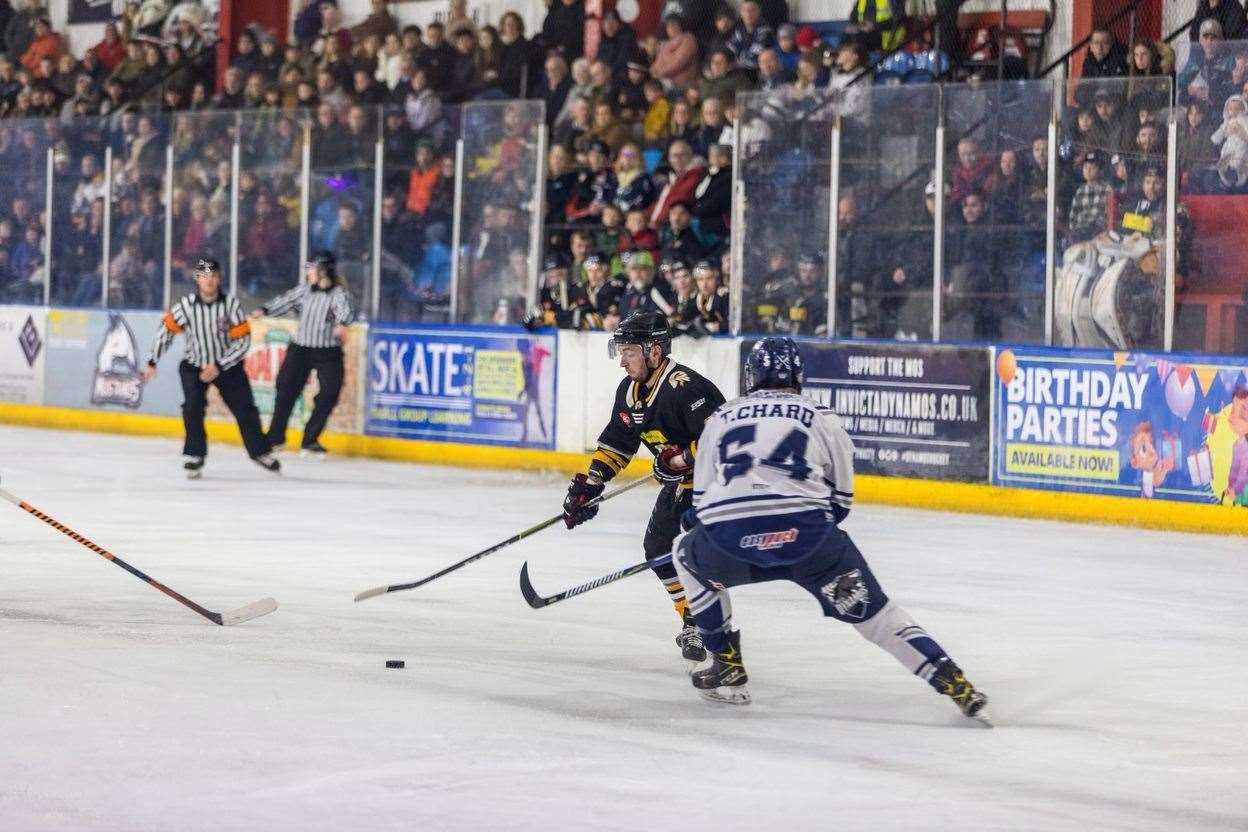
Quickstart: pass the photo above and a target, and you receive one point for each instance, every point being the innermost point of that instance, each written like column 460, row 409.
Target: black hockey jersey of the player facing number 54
column 670, row 410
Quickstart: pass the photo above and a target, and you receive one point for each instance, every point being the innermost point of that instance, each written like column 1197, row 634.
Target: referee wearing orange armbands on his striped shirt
column 218, row 337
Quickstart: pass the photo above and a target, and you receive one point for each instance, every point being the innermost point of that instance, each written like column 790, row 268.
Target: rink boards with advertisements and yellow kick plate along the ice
column 1153, row 440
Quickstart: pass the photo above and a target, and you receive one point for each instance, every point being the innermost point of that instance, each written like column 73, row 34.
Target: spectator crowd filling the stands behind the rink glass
column 638, row 170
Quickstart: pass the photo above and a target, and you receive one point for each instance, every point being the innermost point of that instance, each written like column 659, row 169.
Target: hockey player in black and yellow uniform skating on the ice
column 662, row 405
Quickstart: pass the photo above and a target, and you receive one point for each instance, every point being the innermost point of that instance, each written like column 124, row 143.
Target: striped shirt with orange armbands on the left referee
column 215, row 332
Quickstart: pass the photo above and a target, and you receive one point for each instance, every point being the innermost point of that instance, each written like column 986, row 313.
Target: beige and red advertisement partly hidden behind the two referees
column 270, row 340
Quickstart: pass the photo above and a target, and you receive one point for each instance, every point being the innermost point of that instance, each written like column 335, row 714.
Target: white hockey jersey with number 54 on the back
column 774, row 476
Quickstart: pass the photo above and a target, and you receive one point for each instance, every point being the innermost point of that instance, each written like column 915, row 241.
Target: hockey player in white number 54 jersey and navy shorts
column 772, row 485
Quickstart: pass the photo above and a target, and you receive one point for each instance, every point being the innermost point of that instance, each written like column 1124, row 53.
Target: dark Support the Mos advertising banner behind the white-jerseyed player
column 912, row 410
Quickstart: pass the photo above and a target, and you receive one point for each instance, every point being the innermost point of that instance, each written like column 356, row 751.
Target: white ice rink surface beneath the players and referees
column 1115, row 659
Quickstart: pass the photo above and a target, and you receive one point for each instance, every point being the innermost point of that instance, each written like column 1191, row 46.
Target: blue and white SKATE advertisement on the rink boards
column 456, row 386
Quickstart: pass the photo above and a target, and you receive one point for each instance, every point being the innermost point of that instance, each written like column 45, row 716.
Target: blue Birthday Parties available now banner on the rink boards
column 1133, row 425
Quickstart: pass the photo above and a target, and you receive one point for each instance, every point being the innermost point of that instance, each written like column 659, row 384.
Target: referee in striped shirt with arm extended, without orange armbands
column 325, row 312
